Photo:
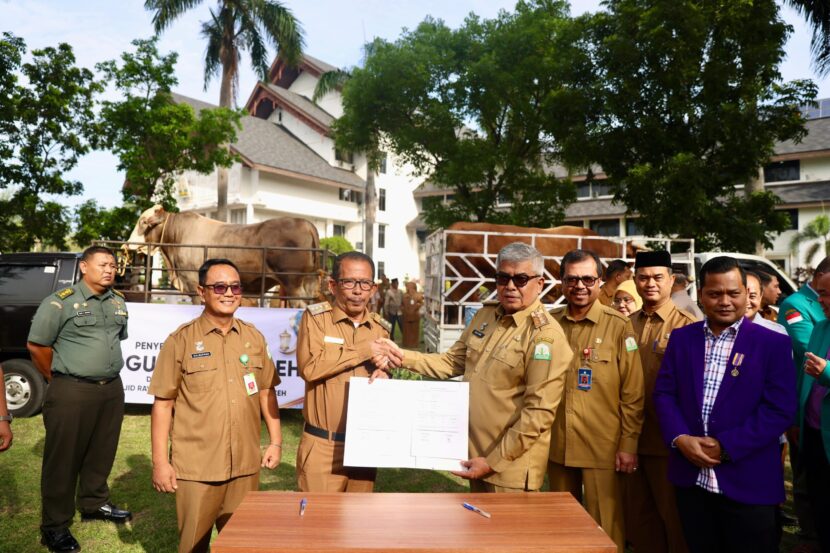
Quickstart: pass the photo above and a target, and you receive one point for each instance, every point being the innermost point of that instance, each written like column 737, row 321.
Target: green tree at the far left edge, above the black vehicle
column 46, row 124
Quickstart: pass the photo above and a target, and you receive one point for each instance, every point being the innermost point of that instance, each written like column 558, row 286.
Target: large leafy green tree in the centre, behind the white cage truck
column 484, row 110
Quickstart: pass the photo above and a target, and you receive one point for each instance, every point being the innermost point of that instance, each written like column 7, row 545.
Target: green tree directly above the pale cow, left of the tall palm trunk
column 155, row 137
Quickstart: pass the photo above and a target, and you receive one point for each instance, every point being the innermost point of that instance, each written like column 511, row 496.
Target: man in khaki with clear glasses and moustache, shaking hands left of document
column 335, row 344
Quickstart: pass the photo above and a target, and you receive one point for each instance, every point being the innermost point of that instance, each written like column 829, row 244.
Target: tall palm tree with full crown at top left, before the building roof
column 235, row 26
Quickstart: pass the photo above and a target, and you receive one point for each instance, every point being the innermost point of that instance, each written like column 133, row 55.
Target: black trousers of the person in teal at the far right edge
column 814, row 462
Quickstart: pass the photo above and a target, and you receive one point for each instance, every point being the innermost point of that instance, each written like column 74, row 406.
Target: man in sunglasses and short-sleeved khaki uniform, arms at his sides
column 215, row 377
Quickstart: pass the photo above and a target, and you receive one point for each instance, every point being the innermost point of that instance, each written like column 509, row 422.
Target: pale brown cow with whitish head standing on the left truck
column 294, row 269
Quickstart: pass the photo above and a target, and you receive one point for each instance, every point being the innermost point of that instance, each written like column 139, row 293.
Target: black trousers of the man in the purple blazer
column 713, row 523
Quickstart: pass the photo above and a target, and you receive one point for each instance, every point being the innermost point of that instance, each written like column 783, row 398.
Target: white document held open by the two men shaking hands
column 407, row 424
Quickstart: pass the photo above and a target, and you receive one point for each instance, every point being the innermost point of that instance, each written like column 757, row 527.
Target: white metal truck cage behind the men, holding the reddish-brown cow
column 446, row 318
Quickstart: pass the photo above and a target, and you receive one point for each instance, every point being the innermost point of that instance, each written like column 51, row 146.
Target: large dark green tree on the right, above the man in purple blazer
column 689, row 102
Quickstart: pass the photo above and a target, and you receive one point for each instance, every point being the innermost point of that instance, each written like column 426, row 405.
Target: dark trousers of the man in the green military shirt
column 83, row 424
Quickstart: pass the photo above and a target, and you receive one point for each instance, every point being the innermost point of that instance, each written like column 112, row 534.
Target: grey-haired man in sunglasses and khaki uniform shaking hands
column 514, row 356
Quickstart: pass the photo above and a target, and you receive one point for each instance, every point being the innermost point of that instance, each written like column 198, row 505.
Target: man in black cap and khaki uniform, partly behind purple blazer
column 652, row 524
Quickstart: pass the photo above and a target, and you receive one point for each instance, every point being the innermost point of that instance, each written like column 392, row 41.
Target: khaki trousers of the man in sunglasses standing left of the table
column 200, row 505
